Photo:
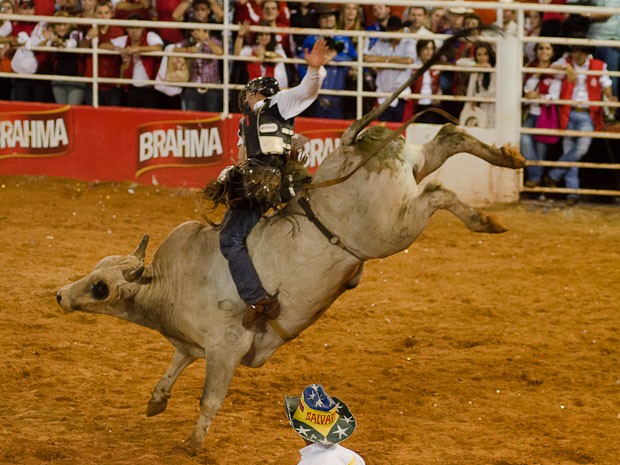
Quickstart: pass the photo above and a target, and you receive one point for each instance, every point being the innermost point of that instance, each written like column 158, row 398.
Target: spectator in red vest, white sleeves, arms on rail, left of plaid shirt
column 138, row 66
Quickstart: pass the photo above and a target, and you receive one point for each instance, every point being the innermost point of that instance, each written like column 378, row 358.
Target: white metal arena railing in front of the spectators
column 509, row 71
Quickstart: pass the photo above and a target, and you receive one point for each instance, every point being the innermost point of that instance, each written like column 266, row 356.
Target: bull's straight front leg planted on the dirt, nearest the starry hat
column 223, row 358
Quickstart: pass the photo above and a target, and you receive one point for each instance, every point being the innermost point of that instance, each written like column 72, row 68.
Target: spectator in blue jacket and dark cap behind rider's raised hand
column 331, row 106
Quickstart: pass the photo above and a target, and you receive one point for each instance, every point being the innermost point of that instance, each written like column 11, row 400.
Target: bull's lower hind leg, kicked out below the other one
column 436, row 197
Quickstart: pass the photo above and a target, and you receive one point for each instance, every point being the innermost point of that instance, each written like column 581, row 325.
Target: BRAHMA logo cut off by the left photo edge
column 36, row 134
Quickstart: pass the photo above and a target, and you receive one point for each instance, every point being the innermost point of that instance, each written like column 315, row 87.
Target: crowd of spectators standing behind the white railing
column 261, row 52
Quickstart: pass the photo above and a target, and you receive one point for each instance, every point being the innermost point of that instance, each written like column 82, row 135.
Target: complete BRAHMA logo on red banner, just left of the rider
column 179, row 144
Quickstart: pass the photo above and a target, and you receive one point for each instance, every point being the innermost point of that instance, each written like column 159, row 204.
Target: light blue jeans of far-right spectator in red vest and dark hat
column 573, row 149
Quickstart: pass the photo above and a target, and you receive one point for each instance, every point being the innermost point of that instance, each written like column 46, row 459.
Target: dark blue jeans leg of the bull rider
column 238, row 223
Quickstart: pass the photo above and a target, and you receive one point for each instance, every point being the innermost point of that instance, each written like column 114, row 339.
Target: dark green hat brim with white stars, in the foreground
column 341, row 430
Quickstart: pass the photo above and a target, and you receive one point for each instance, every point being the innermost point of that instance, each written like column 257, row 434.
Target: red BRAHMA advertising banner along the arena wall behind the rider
column 171, row 148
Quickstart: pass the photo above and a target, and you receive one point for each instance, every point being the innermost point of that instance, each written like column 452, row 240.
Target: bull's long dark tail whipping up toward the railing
column 349, row 136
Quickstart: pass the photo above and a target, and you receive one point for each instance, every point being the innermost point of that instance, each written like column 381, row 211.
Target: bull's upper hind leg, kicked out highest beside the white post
column 451, row 140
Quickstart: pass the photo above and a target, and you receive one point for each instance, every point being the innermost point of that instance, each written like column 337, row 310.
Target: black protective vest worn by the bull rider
column 266, row 132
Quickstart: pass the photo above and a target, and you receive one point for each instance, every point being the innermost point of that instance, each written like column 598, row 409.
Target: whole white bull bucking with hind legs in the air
column 187, row 294
